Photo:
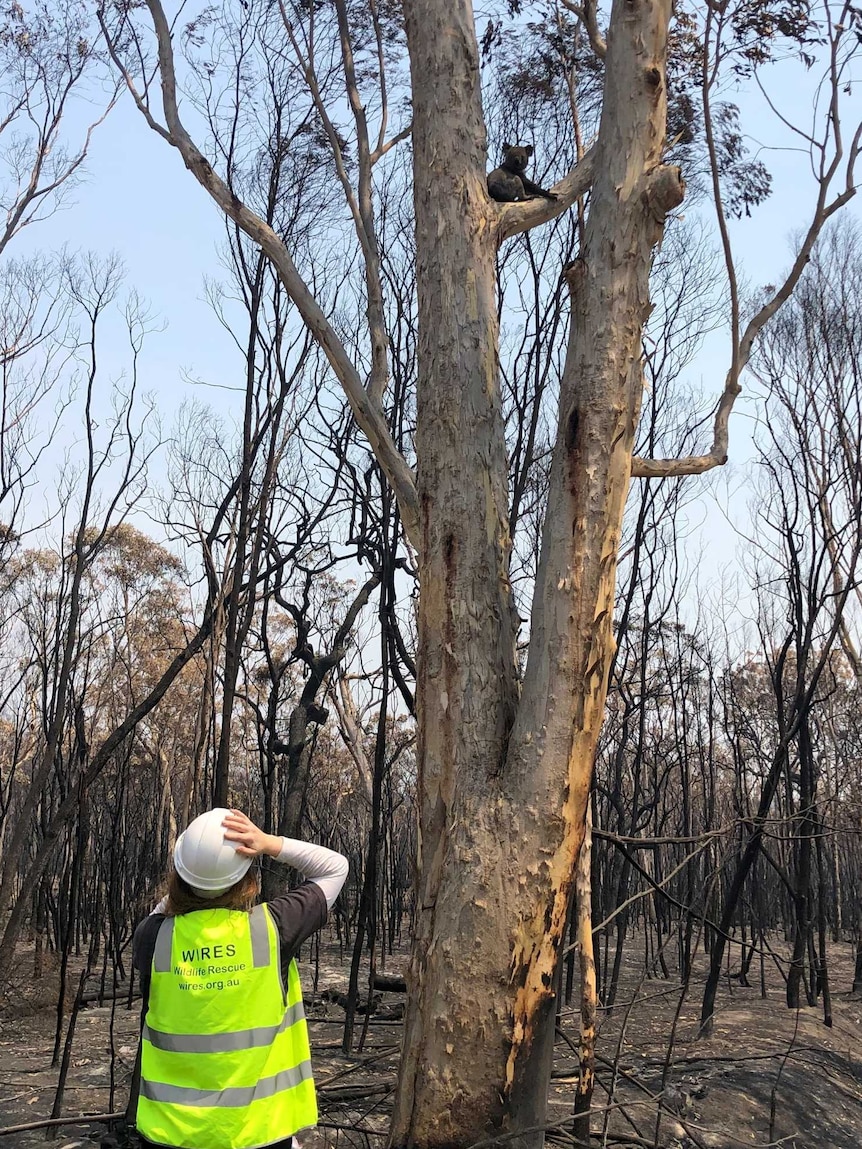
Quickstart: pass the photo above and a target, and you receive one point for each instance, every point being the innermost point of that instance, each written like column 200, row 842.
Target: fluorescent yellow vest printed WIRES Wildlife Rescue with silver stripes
column 226, row 1062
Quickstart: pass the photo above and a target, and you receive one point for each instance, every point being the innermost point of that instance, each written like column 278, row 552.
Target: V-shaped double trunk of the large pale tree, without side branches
column 502, row 824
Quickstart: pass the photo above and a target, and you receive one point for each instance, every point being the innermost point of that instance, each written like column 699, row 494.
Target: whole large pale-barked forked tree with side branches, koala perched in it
column 505, row 759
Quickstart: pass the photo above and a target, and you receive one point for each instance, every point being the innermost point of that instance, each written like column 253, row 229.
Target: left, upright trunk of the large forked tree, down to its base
column 458, row 1017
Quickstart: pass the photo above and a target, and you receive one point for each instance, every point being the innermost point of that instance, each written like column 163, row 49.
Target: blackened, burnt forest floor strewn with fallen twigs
column 713, row 1093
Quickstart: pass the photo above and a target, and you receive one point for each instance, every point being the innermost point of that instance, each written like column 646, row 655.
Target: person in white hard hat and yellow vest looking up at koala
column 225, row 1059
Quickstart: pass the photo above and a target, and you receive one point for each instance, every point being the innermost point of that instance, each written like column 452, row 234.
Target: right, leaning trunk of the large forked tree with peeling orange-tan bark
column 553, row 743
